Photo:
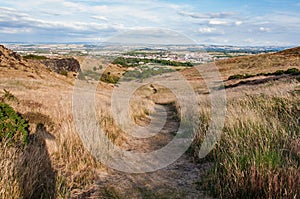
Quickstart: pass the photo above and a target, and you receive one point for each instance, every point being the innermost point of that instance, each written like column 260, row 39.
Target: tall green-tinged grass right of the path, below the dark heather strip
column 258, row 155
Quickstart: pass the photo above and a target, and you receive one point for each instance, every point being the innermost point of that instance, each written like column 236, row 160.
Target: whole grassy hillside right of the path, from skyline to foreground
column 258, row 154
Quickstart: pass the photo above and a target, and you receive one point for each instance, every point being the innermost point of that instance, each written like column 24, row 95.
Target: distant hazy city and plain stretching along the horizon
column 179, row 53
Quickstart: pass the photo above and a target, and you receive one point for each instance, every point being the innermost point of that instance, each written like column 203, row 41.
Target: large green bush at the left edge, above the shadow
column 13, row 128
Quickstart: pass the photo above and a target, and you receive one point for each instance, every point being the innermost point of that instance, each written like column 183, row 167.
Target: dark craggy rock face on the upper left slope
column 62, row 64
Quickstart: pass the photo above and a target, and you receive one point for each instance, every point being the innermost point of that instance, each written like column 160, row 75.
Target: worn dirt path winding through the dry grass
column 178, row 180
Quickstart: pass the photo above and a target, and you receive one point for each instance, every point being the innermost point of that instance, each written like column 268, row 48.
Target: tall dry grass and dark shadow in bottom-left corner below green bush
column 26, row 172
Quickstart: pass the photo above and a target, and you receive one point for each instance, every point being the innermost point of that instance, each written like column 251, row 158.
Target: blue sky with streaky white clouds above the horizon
column 218, row 22
